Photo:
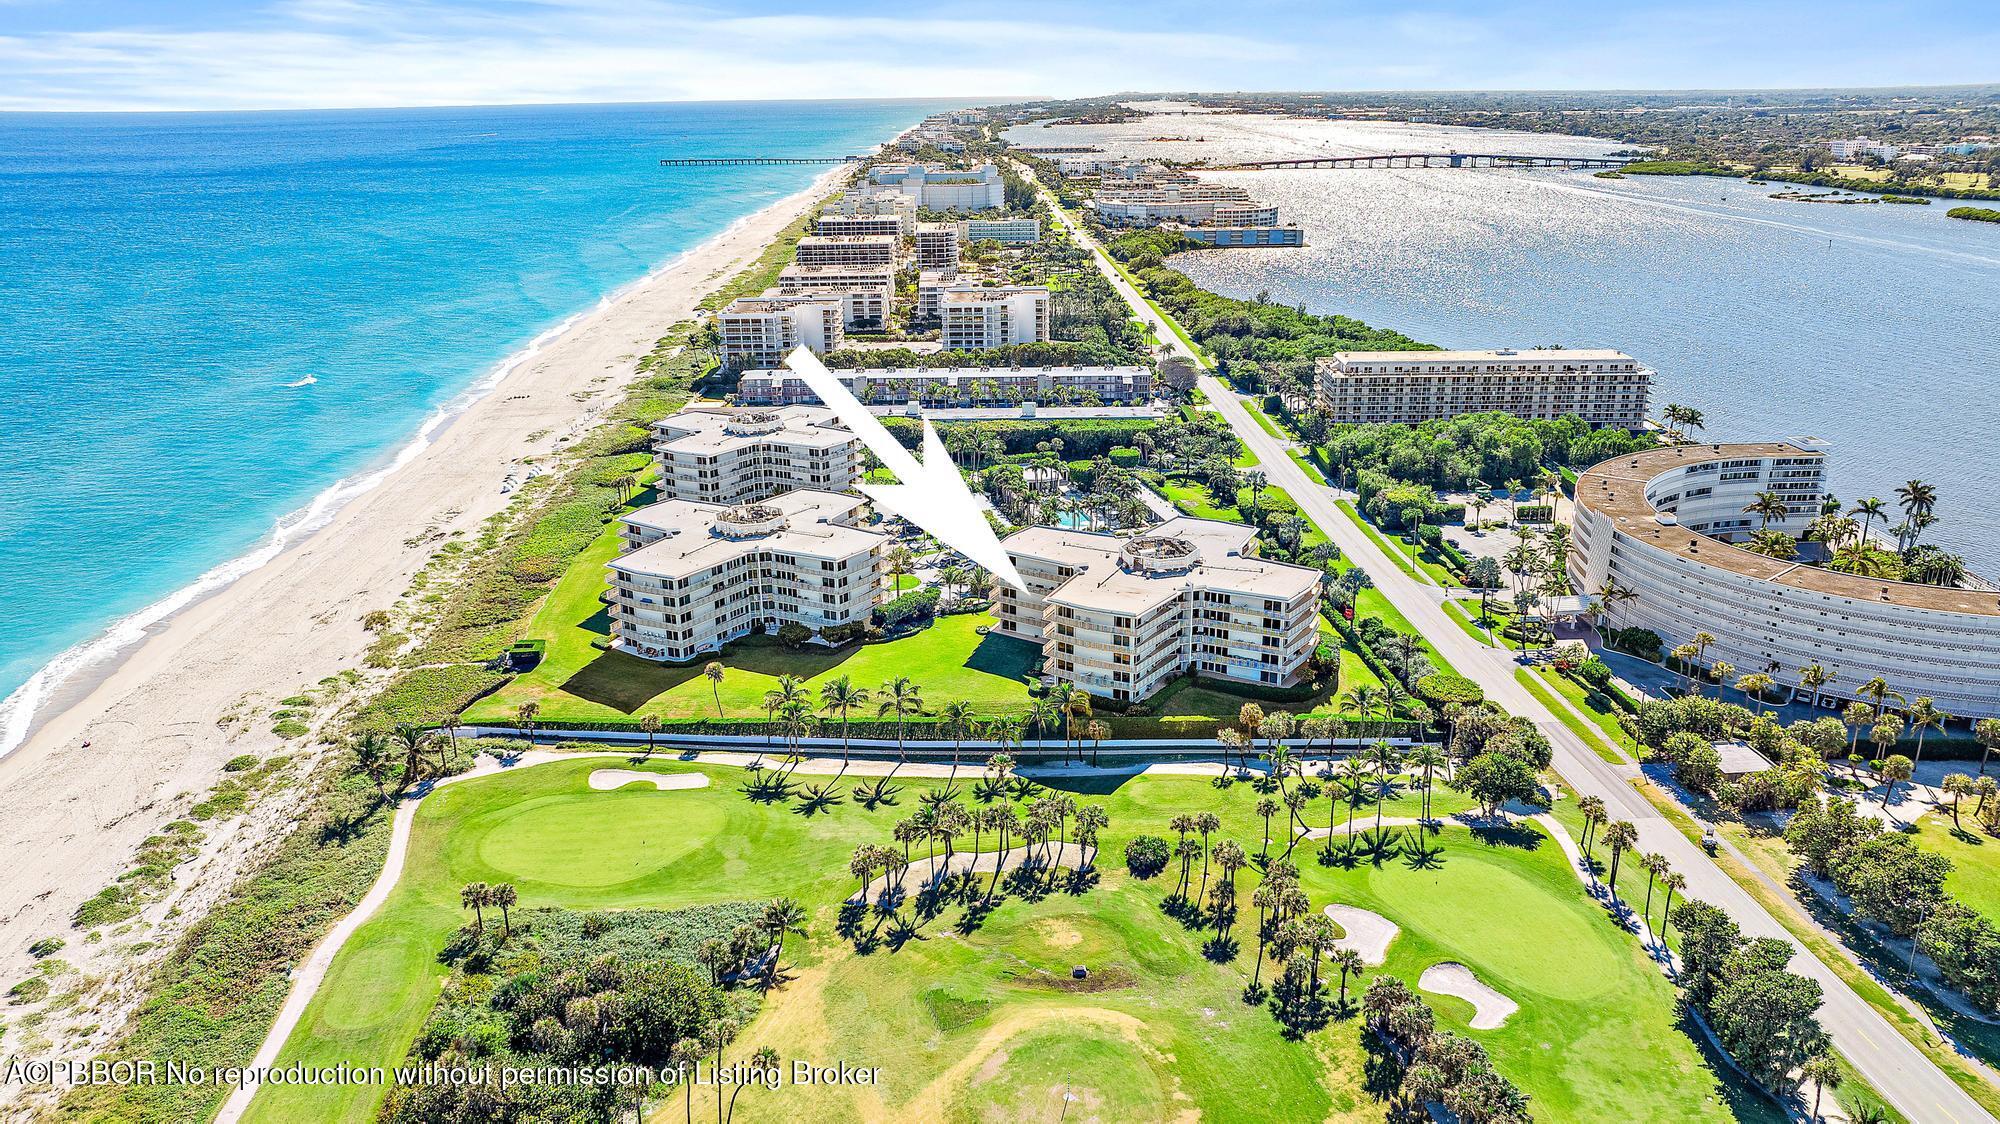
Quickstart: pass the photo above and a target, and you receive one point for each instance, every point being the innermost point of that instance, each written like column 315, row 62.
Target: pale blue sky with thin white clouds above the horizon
column 245, row 55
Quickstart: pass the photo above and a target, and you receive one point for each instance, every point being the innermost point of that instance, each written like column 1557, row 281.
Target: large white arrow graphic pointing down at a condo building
column 931, row 495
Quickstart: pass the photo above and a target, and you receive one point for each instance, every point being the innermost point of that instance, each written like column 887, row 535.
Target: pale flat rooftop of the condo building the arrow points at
column 1105, row 583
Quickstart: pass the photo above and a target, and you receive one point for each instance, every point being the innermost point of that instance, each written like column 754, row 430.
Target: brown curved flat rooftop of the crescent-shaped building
column 1617, row 491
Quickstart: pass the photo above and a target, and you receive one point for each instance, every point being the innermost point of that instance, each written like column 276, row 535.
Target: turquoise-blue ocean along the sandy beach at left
column 209, row 321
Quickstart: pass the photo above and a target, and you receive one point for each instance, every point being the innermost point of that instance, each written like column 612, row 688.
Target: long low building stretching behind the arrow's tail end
column 959, row 385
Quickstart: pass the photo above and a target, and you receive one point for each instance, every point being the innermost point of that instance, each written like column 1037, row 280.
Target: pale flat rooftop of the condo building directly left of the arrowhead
column 811, row 525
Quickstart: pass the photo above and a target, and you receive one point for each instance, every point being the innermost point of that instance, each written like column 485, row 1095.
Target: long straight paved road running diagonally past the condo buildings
column 1887, row 1059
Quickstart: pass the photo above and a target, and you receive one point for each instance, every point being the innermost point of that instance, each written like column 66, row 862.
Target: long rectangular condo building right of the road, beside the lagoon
column 1605, row 389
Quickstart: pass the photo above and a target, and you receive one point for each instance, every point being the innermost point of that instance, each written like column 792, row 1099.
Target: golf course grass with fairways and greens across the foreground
column 985, row 1025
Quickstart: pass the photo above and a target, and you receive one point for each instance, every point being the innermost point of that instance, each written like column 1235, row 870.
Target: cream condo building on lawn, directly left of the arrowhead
column 701, row 575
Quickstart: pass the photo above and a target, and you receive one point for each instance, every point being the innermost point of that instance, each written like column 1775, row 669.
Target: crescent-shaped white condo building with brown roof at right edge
column 1657, row 525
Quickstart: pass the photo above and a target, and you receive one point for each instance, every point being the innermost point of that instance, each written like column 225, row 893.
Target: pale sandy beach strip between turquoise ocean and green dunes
column 137, row 749
